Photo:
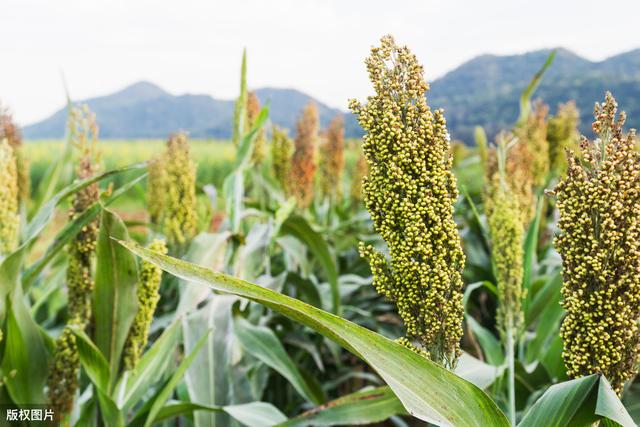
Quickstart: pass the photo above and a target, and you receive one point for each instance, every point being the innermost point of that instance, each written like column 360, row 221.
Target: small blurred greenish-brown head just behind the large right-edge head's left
column 562, row 134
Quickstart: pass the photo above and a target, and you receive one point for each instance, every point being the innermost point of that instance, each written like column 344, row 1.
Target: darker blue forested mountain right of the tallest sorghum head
column 486, row 90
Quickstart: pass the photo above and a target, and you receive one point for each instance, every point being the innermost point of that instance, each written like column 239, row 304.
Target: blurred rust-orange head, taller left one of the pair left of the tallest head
column 303, row 164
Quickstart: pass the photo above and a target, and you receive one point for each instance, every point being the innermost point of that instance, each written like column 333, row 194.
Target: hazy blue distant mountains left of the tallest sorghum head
column 144, row 110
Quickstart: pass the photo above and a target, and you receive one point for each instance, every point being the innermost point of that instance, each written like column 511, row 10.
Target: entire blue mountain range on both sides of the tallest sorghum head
column 483, row 91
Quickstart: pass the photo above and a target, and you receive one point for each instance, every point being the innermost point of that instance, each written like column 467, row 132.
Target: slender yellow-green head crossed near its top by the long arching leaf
column 148, row 296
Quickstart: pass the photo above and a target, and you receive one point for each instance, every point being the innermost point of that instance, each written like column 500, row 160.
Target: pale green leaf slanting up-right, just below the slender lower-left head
column 156, row 359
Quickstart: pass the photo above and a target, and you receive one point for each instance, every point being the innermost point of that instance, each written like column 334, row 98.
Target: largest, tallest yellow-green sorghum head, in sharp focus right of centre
column 410, row 193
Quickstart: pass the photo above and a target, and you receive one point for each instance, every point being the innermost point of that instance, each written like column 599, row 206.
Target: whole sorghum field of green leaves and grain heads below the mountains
column 301, row 279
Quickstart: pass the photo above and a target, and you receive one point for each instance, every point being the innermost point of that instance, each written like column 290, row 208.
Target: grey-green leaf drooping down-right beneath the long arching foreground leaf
column 263, row 344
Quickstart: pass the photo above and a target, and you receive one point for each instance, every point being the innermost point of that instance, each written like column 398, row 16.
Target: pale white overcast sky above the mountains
column 316, row 46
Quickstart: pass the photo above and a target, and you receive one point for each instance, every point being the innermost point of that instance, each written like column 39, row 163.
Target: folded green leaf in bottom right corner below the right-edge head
column 577, row 403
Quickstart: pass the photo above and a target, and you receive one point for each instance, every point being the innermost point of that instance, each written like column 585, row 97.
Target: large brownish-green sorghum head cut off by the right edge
column 599, row 241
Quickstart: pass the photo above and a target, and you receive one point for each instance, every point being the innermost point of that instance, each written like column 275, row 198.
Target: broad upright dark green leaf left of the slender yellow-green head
column 115, row 301
